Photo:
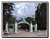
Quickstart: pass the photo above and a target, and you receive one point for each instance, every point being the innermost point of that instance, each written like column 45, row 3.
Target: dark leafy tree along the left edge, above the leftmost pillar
column 7, row 8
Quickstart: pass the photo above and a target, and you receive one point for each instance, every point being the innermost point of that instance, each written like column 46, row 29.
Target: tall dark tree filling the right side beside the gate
column 41, row 16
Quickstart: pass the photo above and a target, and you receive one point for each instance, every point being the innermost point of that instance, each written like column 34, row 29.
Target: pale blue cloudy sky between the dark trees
column 23, row 10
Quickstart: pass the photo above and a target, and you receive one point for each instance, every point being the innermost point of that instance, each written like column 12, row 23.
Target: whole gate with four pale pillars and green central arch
column 23, row 21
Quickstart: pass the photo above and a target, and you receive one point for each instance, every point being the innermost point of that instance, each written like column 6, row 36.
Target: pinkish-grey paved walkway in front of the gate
column 28, row 34
